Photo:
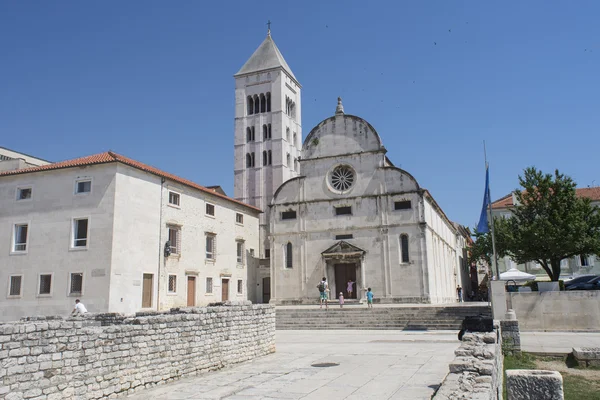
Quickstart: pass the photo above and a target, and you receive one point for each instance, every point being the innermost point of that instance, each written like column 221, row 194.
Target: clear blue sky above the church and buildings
column 153, row 81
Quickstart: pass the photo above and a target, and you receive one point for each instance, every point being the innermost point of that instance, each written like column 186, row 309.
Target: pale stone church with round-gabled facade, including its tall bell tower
column 334, row 205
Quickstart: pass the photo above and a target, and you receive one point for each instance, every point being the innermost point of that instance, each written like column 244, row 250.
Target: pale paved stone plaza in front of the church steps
column 374, row 365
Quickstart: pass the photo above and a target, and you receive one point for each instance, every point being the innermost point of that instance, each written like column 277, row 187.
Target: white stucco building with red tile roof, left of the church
column 120, row 235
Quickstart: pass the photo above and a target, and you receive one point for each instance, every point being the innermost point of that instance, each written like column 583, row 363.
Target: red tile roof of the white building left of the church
column 109, row 157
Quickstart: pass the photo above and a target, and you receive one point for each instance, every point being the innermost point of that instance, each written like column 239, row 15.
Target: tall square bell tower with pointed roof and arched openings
column 268, row 130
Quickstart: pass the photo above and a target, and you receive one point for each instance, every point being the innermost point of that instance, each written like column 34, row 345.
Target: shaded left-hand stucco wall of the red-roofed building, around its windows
column 49, row 214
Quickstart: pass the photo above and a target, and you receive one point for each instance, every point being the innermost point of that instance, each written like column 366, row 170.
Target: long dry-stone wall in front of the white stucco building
column 68, row 359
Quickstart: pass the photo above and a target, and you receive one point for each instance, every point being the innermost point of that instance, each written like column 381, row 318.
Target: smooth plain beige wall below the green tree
column 557, row 311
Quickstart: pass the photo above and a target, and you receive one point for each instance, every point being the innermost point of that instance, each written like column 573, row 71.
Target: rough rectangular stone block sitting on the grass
column 531, row 384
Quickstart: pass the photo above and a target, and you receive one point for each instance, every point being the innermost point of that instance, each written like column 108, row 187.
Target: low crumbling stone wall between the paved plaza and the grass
column 476, row 372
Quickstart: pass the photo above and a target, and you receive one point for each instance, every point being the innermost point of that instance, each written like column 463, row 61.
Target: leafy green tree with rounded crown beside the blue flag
column 549, row 222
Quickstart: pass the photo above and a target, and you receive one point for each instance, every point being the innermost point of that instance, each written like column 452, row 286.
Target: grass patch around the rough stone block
column 576, row 386
